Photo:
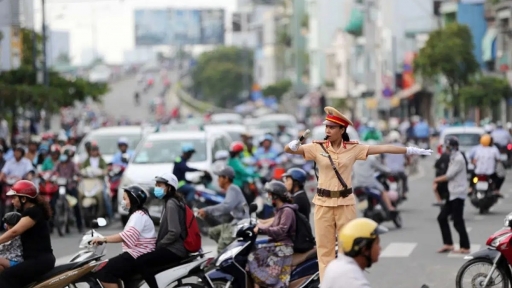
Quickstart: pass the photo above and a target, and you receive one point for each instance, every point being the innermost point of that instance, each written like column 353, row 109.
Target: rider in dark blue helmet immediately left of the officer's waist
column 294, row 179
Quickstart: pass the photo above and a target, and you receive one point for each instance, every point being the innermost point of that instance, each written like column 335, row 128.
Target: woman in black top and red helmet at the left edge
column 38, row 258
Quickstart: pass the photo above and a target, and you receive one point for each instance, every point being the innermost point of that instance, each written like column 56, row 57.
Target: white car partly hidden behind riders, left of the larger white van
column 106, row 139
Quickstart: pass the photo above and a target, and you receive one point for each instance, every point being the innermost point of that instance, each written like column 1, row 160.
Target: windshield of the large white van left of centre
column 166, row 151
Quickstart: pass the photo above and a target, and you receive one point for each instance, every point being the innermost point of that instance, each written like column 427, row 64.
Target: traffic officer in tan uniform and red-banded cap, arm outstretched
column 334, row 201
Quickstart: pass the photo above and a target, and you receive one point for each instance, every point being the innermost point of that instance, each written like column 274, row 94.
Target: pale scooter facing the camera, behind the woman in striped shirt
column 91, row 193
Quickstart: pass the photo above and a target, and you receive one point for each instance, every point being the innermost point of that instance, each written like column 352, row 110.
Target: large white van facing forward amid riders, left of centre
column 157, row 153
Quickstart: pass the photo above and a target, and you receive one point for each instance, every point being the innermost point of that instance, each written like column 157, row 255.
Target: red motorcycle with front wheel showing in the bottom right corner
column 496, row 259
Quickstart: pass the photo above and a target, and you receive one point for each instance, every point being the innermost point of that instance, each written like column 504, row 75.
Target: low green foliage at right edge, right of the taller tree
column 485, row 92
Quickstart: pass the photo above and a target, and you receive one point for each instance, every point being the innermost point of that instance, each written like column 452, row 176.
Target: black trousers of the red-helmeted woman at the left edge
column 27, row 271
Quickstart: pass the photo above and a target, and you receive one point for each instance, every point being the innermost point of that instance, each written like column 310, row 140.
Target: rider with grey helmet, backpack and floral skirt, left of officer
column 270, row 264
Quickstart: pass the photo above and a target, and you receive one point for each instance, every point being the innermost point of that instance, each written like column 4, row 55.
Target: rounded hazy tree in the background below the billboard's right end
column 219, row 75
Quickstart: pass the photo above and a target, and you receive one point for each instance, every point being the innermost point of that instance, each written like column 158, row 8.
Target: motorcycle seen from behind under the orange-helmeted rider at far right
column 482, row 195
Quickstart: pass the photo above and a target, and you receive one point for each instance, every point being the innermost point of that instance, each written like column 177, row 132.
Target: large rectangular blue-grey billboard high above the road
column 179, row 27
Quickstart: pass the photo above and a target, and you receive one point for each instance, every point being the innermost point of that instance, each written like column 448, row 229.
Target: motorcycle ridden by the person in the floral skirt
column 229, row 266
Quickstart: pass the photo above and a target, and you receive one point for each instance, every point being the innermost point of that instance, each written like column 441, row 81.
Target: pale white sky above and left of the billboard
column 111, row 19
